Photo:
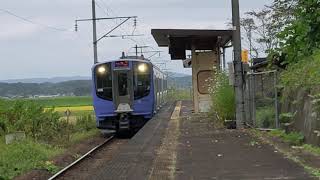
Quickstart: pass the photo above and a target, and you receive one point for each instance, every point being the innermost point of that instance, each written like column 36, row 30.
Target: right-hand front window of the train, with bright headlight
column 141, row 80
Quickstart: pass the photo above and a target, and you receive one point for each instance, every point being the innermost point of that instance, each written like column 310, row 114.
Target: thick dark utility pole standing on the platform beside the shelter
column 238, row 68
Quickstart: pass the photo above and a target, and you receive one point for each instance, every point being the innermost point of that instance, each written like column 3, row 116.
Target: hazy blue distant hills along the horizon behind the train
column 77, row 85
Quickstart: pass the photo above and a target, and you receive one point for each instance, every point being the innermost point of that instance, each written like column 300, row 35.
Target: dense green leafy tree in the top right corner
column 302, row 36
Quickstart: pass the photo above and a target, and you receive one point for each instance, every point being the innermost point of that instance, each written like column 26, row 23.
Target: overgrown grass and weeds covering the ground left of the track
column 47, row 134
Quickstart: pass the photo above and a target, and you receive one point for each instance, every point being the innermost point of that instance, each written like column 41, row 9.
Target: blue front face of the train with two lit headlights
column 122, row 94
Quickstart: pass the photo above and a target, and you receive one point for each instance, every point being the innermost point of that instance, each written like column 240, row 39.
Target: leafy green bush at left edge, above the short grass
column 34, row 120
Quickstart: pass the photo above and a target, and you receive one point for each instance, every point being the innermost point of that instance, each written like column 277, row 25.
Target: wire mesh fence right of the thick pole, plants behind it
column 261, row 99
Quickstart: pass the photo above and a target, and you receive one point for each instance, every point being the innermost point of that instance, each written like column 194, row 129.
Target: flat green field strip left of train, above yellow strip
column 68, row 101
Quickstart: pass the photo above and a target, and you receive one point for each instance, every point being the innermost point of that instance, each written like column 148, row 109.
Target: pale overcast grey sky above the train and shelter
column 44, row 44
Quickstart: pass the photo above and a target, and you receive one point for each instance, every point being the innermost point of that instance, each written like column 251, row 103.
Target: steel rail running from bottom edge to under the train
column 70, row 166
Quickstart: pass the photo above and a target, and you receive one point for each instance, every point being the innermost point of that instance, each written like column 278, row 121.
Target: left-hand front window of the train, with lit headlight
column 104, row 81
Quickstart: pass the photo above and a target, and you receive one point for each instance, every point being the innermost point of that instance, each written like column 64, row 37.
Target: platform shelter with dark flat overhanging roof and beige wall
column 207, row 49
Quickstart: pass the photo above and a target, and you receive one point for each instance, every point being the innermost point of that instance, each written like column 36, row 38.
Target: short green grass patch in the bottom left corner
column 20, row 157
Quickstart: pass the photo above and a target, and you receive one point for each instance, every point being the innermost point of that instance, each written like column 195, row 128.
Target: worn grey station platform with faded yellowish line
column 182, row 145
